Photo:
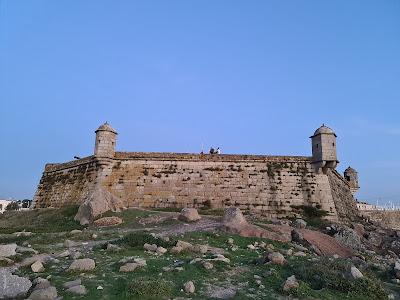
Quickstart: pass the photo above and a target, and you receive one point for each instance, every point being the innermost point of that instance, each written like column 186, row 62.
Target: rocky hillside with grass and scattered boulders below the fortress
column 140, row 254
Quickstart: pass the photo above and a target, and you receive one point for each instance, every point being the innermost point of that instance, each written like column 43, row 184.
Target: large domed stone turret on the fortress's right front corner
column 324, row 148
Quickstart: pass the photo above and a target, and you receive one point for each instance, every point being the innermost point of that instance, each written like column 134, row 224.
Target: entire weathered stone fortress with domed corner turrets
column 274, row 186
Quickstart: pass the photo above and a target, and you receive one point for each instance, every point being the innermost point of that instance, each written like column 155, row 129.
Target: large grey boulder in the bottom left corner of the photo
column 12, row 286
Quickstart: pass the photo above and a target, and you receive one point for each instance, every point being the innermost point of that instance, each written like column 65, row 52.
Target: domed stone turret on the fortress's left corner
column 106, row 138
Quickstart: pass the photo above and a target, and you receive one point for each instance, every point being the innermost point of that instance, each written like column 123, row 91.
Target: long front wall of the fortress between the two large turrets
column 270, row 184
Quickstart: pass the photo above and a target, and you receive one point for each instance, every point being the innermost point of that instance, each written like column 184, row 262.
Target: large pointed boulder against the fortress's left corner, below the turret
column 98, row 201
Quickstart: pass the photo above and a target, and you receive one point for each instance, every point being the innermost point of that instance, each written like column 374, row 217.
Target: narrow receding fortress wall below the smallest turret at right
column 344, row 202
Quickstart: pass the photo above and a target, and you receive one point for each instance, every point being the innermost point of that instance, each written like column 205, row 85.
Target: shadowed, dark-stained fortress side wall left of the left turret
column 67, row 183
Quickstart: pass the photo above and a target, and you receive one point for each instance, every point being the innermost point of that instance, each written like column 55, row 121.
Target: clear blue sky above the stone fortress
column 249, row 76
